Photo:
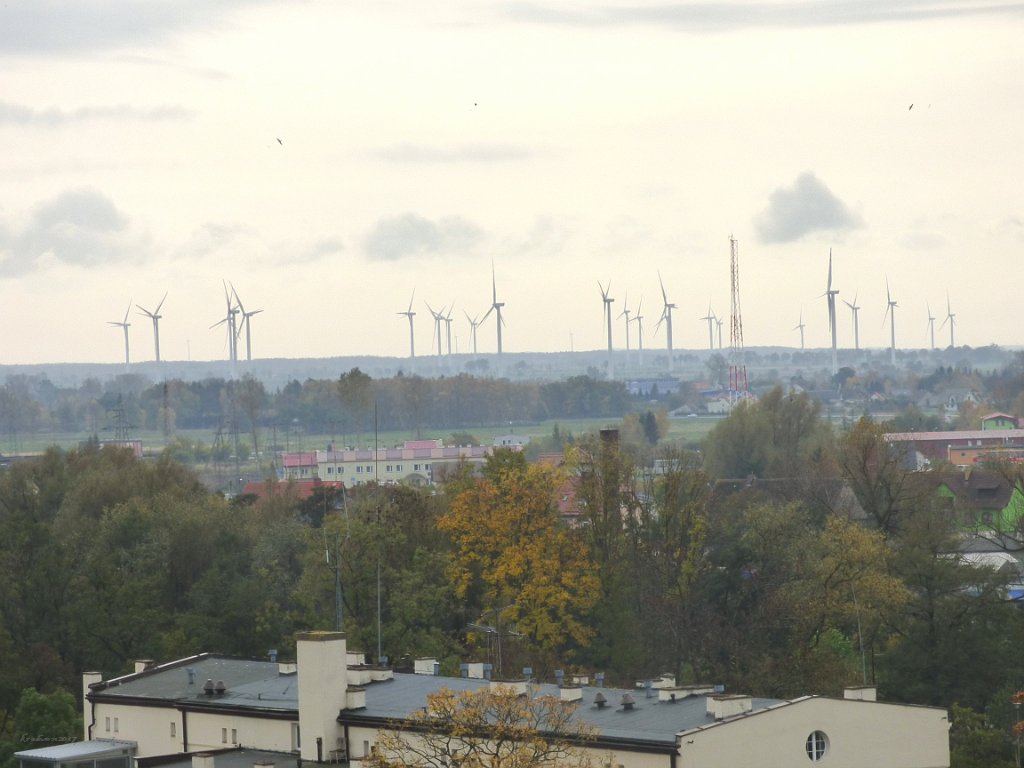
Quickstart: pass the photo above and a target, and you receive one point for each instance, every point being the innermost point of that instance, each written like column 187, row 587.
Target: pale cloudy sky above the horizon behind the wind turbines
column 340, row 163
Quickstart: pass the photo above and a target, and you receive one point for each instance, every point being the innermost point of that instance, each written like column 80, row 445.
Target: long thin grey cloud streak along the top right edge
column 721, row 17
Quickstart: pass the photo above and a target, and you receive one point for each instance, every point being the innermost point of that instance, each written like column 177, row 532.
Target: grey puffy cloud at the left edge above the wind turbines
column 81, row 228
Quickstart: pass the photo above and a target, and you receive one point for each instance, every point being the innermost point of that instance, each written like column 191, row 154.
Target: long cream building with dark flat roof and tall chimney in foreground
column 331, row 707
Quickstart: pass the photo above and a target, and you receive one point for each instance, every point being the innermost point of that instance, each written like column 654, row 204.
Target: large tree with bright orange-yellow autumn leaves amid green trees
column 517, row 561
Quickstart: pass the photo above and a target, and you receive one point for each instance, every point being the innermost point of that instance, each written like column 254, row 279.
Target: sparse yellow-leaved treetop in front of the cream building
column 486, row 729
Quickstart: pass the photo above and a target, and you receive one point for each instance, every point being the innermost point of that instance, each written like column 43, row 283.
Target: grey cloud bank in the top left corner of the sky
column 81, row 26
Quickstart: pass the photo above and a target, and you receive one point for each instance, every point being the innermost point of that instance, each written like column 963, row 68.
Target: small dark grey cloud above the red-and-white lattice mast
column 806, row 207
